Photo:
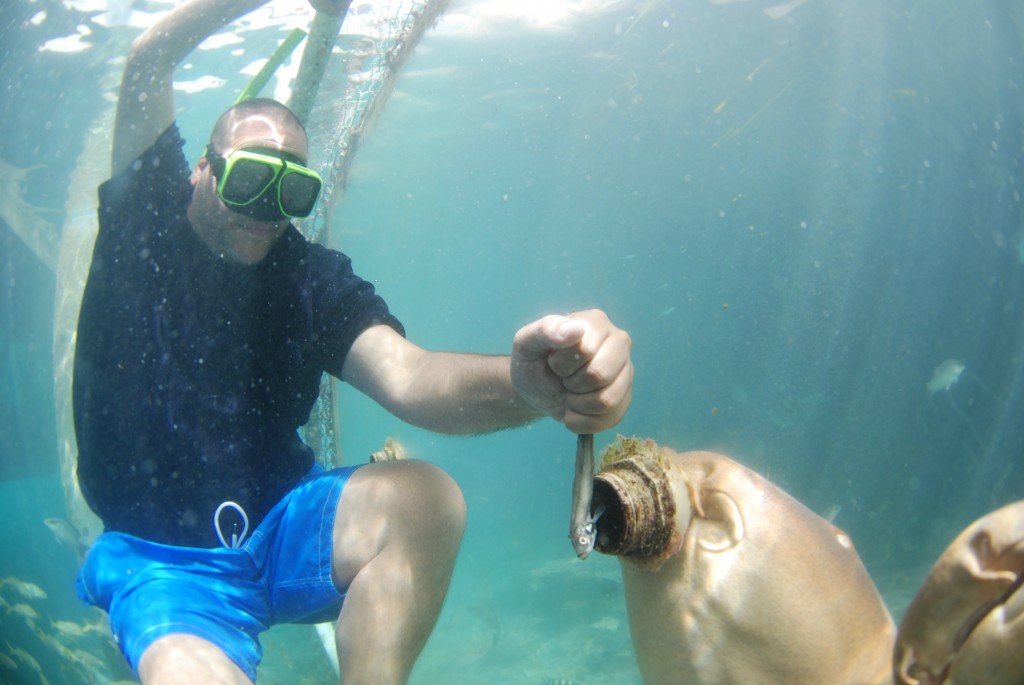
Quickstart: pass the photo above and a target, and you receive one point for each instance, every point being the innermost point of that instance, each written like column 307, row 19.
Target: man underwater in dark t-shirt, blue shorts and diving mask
column 206, row 325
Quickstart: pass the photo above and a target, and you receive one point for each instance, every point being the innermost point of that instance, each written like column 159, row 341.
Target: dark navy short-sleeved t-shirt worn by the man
column 193, row 374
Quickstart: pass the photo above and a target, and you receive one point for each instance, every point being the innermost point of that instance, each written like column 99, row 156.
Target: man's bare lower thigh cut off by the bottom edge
column 187, row 660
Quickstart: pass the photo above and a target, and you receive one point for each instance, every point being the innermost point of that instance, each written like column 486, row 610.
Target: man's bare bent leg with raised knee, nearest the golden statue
column 396, row 539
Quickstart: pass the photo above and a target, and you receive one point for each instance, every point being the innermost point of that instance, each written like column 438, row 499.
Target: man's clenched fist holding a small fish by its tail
column 576, row 369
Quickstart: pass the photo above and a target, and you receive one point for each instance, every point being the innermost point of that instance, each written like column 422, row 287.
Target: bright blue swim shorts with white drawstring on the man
column 229, row 596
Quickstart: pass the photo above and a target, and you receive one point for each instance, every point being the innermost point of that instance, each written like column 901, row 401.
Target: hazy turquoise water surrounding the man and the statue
column 797, row 221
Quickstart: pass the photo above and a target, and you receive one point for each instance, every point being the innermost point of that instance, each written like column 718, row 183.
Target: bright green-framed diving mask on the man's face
column 266, row 185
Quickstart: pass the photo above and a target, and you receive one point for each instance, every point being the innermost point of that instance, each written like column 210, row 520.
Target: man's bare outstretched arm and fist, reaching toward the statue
column 575, row 369
